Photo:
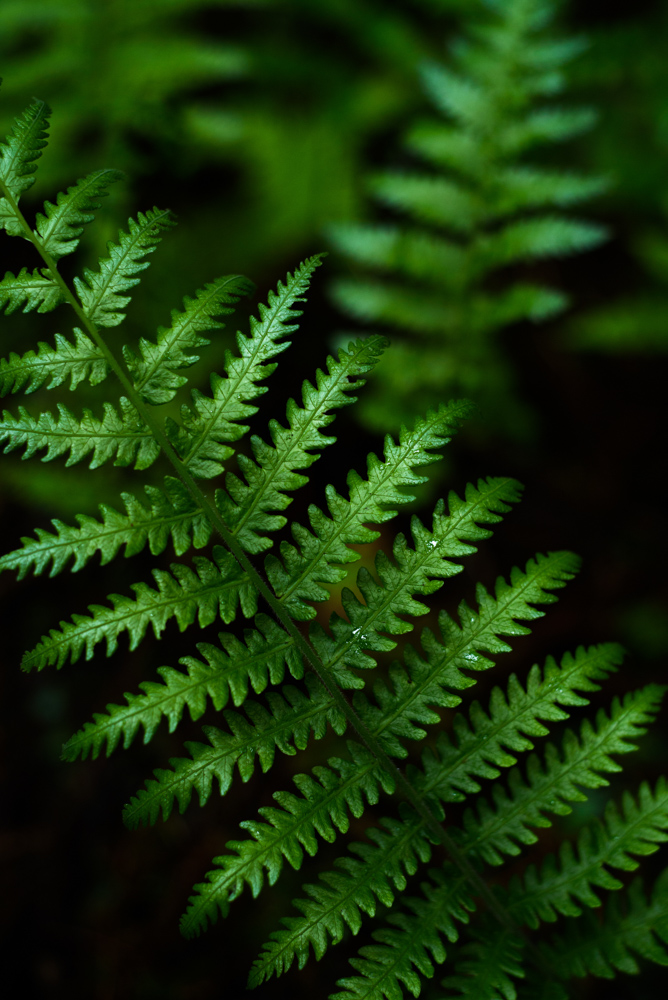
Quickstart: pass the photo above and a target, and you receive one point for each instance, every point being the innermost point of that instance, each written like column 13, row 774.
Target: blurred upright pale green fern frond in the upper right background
column 439, row 277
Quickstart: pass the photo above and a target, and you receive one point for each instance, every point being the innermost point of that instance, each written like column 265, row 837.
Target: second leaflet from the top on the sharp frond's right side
column 62, row 224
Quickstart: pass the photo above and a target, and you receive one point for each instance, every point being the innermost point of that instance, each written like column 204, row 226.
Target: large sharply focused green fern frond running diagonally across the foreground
column 310, row 680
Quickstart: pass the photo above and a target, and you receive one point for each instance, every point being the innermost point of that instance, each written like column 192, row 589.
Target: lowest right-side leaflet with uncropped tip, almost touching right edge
column 552, row 784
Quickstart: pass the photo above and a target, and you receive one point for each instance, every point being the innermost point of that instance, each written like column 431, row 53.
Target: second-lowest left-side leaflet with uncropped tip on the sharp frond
column 323, row 806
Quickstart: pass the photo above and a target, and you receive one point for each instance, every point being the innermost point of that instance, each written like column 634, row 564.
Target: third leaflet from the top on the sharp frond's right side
column 101, row 291
